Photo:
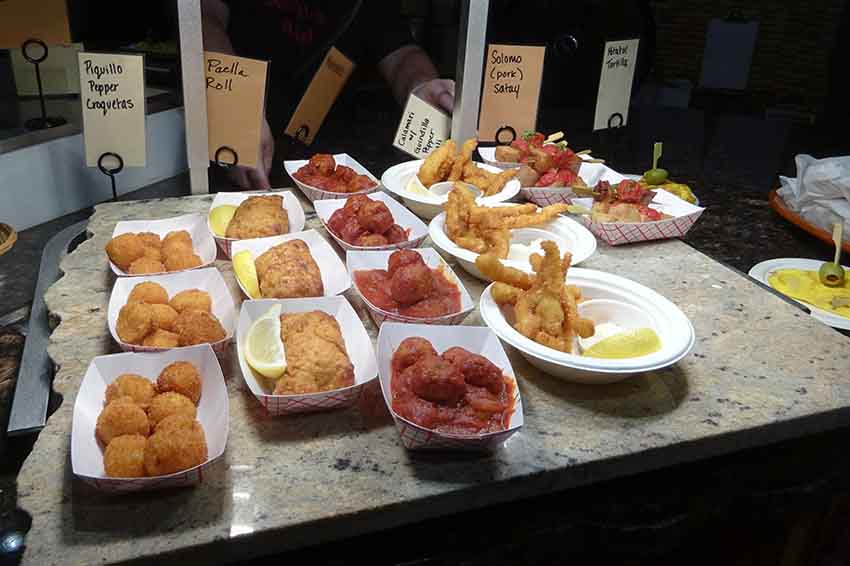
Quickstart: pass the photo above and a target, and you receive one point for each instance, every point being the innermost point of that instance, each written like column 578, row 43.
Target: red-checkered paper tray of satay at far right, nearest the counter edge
column 684, row 215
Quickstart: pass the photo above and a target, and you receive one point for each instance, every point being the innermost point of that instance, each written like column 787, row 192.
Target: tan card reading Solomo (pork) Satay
column 512, row 79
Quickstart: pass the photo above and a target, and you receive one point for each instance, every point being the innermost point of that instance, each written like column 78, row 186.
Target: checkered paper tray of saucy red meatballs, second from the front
column 356, row 261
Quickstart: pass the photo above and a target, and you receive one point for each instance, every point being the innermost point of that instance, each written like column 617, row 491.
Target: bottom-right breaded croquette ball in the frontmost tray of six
column 175, row 449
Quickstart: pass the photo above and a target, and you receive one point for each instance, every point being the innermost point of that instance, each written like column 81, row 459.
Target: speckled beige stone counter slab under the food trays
column 761, row 371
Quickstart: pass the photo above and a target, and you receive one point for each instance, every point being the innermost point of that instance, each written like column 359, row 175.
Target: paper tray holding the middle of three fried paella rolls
column 334, row 276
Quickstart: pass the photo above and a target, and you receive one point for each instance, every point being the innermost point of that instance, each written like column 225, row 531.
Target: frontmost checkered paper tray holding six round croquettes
column 213, row 414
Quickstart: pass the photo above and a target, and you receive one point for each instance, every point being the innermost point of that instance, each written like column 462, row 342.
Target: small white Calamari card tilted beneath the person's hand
column 423, row 128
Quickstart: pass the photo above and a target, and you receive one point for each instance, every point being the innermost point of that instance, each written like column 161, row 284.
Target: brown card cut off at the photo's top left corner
column 45, row 20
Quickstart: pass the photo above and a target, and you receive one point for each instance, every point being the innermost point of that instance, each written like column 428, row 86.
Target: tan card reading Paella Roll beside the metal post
column 236, row 97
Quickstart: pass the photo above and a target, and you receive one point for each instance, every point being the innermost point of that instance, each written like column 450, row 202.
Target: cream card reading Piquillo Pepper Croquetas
column 112, row 93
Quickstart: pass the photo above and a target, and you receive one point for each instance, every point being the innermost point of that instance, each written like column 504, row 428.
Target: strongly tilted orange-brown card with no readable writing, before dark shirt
column 320, row 96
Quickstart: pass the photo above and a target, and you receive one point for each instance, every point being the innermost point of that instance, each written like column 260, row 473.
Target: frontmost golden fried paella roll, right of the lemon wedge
column 315, row 354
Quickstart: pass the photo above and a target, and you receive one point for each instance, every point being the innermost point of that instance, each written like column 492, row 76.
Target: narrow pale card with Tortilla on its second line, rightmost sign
column 615, row 83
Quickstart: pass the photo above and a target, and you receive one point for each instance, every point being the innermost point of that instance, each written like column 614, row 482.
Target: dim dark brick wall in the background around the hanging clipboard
column 791, row 58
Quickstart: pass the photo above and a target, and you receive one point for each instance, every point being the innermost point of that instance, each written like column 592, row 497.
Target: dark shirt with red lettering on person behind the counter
column 295, row 35
